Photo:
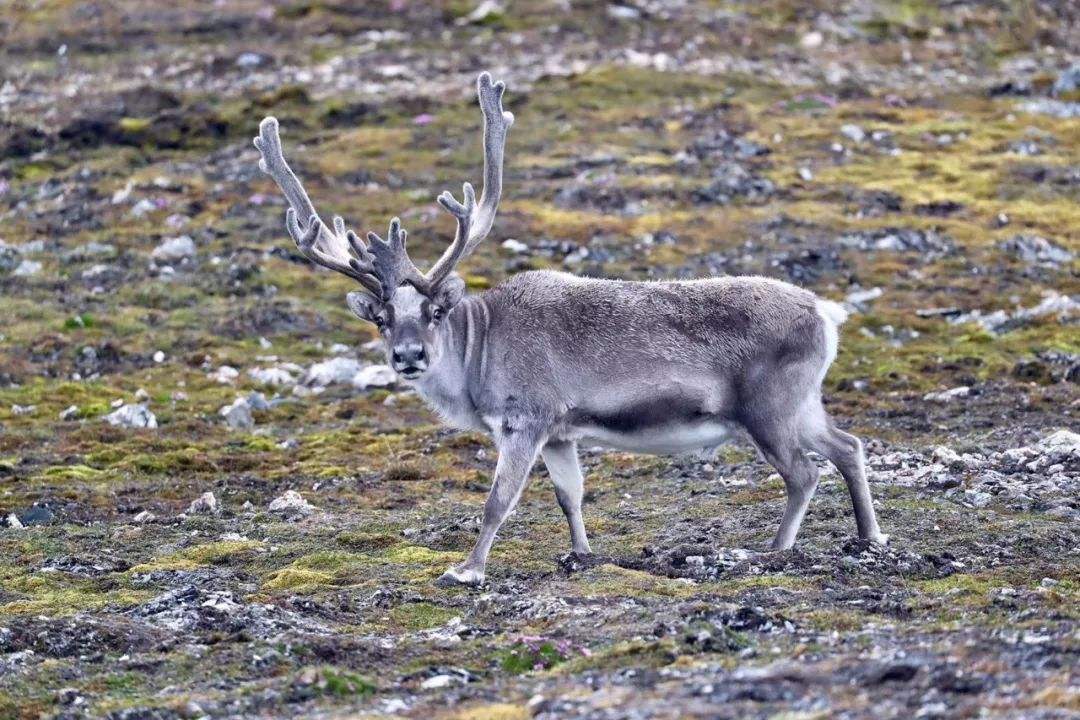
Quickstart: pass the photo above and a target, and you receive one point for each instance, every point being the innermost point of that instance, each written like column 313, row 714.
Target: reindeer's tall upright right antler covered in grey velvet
column 475, row 222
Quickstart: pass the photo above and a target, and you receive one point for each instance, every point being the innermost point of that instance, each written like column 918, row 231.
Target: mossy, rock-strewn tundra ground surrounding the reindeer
column 919, row 161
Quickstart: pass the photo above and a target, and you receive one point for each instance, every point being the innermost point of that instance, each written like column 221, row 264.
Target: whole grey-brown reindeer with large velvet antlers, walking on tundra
column 547, row 360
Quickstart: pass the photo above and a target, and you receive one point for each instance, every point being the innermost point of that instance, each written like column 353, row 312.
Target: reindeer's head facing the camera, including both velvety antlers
column 407, row 306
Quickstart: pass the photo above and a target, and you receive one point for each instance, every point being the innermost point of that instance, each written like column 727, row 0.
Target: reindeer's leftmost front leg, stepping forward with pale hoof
column 518, row 453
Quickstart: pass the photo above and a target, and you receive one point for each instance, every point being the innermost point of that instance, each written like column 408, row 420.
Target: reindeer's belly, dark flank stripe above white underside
column 663, row 425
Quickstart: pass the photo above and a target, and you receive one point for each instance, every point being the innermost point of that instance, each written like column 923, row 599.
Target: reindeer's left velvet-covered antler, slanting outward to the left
column 317, row 242
